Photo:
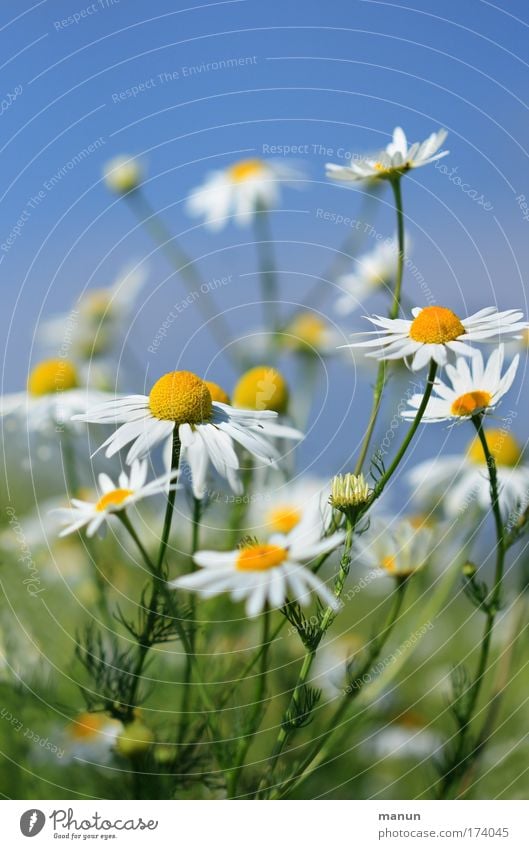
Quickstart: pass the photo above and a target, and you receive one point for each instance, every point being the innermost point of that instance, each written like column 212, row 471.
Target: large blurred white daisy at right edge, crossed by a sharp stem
column 459, row 481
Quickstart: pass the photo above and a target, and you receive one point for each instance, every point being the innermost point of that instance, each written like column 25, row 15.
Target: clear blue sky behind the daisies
column 338, row 75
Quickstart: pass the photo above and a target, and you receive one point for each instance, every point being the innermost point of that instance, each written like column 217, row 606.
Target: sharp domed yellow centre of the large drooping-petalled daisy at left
column 181, row 397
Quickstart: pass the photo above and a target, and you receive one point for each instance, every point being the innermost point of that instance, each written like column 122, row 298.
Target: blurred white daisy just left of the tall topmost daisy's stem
column 375, row 271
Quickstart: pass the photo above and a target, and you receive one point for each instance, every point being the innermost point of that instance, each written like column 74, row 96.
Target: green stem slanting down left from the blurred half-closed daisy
column 376, row 647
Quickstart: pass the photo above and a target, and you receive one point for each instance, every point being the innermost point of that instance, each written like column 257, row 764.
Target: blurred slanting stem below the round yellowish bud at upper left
column 184, row 266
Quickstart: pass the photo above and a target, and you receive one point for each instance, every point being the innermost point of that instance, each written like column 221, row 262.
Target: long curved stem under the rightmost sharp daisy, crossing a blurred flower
column 493, row 603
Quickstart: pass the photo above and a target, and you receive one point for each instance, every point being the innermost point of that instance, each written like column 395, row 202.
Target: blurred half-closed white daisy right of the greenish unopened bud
column 398, row 546
